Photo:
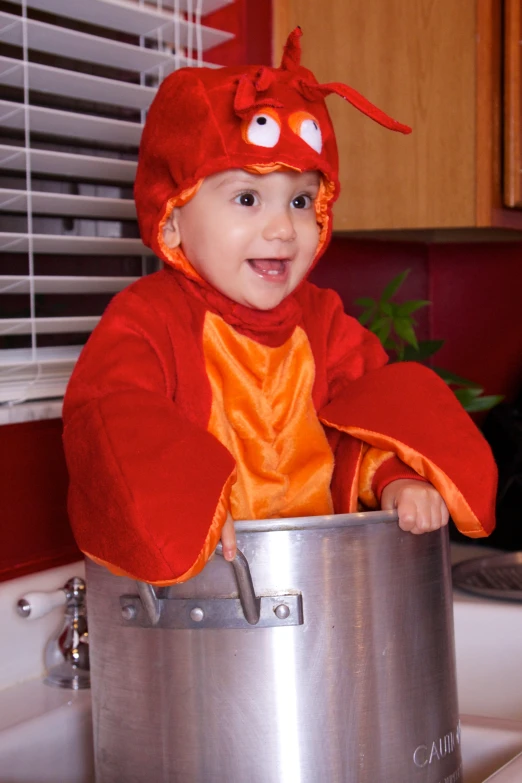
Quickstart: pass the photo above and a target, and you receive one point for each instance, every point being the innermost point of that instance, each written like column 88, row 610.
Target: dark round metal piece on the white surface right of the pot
column 497, row 576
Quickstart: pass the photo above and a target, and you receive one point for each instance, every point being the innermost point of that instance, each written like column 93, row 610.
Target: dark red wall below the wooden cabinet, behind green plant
column 476, row 295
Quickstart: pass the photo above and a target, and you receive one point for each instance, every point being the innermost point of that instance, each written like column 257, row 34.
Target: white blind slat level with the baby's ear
column 75, row 245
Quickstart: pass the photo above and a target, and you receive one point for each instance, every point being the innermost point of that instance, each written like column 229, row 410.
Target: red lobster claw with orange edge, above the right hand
column 406, row 408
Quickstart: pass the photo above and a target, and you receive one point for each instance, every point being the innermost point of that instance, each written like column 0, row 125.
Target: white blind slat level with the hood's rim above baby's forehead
column 65, row 164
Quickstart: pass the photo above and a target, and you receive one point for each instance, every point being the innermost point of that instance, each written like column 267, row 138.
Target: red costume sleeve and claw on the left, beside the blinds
column 138, row 460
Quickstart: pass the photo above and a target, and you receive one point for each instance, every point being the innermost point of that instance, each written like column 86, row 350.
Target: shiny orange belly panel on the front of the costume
column 262, row 411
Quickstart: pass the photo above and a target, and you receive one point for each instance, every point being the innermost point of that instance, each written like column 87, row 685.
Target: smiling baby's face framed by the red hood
column 252, row 236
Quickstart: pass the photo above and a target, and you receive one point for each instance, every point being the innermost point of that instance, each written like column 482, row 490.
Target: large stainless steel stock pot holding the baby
column 348, row 675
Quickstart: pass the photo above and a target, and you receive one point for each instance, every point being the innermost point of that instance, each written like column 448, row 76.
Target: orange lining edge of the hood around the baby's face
column 176, row 257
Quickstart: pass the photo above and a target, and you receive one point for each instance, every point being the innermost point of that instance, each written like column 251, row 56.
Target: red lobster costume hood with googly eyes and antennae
column 203, row 121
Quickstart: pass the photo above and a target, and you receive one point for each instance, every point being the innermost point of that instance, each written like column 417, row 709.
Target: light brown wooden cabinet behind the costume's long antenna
column 436, row 65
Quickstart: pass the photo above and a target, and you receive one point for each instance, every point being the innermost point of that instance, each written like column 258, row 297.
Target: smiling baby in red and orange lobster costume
column 226, row 386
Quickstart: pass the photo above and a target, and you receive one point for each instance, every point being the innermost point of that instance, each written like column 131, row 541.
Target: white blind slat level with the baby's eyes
column 65, row 204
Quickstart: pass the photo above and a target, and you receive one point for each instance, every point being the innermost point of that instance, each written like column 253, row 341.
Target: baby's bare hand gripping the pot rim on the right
column 420, row 507
